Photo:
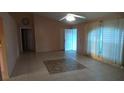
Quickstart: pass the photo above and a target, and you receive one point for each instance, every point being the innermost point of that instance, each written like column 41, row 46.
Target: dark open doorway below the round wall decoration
column 27, row 40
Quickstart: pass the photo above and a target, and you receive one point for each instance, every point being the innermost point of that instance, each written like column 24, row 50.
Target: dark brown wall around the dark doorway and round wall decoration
column 18, row 17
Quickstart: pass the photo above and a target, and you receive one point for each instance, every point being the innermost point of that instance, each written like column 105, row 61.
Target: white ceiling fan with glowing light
column 71, row 17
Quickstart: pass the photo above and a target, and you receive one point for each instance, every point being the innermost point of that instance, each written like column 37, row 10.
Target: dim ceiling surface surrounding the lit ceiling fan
column 88, row 15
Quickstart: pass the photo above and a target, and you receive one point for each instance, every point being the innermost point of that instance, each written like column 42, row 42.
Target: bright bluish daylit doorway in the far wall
column 71, row 39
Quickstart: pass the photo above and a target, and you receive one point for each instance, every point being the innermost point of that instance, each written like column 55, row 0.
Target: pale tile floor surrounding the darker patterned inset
column 31, row 67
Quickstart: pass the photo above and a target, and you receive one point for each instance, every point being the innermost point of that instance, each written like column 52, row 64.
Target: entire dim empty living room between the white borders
column 62, row 46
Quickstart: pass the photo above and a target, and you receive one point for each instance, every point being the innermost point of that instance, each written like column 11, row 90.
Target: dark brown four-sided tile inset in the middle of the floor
column 62, row 65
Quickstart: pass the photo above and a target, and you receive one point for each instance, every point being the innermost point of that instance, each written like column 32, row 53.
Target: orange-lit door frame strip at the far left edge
column 3, row 63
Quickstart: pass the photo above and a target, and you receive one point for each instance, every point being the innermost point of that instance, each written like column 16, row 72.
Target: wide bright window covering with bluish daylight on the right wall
column 106, row 40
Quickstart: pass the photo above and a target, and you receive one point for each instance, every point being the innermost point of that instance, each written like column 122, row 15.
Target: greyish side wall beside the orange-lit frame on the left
column 10, row 35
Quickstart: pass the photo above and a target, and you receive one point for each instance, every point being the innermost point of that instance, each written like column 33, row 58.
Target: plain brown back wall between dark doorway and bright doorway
column 48, row 34
